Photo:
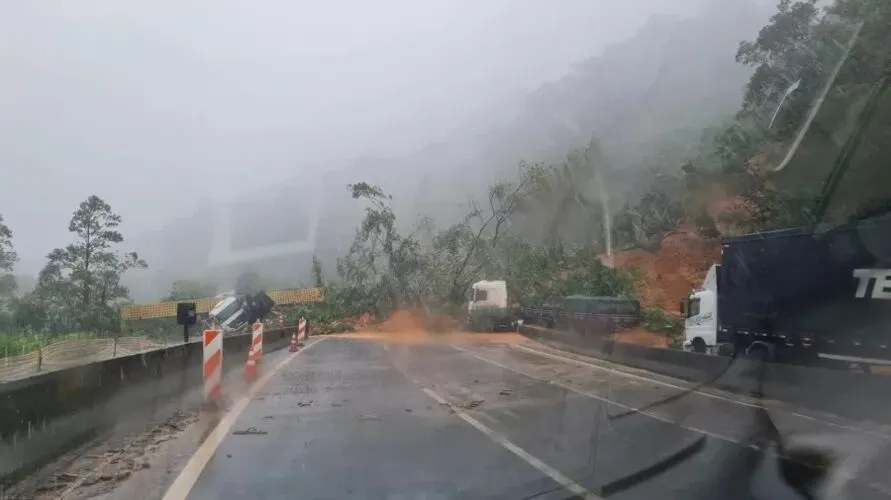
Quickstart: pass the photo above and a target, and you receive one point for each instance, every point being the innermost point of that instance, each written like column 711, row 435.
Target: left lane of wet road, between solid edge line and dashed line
column 343, row 422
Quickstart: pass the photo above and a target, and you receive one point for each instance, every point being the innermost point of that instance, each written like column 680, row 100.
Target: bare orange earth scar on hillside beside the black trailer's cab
column 669, row 273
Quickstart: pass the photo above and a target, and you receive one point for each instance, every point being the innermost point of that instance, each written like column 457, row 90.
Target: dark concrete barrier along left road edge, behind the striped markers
column 43, row 416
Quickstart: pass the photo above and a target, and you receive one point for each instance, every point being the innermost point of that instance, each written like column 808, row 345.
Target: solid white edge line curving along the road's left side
column 187, row 478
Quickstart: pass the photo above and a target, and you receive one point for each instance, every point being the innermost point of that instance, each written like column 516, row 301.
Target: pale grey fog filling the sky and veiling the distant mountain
column 467, row 91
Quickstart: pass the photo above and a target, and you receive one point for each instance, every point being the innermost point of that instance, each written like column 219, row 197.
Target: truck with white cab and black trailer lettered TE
column 801, row 295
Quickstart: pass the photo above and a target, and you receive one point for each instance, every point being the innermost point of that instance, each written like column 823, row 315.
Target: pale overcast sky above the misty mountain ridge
column 147, row 103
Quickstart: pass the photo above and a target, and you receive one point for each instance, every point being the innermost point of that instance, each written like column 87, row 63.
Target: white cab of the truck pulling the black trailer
column 700, row 310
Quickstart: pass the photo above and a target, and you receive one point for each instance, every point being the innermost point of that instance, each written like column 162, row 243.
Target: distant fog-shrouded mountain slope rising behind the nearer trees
column 644, row 98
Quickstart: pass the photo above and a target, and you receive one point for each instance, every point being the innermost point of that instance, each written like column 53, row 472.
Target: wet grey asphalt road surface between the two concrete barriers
column 350, row 418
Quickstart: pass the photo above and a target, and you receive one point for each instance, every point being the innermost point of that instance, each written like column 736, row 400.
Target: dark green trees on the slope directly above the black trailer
column 809, row 108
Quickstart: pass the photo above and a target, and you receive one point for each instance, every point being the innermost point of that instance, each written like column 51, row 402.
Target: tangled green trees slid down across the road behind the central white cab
column 432, row 270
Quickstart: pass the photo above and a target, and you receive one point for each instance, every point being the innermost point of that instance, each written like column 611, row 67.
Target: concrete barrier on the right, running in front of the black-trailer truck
column 851, row 395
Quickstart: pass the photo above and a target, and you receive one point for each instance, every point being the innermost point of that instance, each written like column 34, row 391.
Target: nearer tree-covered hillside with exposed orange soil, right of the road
column 790, row 155
